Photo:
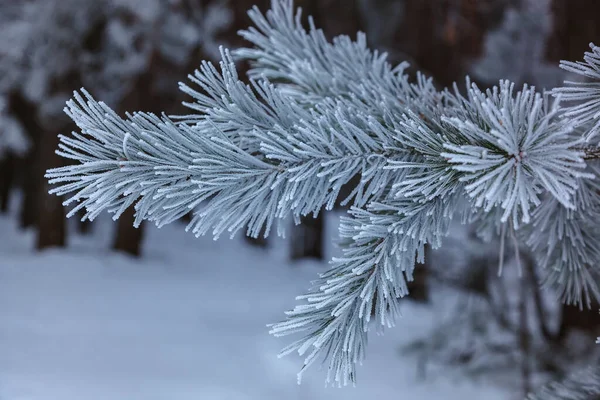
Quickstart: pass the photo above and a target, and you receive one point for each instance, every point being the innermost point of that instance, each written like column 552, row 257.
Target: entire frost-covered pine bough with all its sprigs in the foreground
column 314, row 115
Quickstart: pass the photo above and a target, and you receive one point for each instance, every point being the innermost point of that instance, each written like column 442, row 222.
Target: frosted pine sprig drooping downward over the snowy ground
column 370, row 277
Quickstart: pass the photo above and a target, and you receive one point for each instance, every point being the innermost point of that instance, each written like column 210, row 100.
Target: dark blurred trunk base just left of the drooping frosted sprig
column 307, row 238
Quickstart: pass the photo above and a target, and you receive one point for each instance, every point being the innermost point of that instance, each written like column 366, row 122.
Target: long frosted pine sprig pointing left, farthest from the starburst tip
column 251, row 154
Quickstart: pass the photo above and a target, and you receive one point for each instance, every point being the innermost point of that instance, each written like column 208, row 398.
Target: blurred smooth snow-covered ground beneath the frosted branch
column 186, row 321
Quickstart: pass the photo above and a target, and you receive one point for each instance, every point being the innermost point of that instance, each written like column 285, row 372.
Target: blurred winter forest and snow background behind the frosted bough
column 105, row 310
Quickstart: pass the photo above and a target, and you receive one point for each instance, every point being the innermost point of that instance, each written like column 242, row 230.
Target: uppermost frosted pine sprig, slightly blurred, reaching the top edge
column 308, row 67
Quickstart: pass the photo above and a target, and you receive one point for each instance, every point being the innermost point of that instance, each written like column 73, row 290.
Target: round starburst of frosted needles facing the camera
column 520, row 150
